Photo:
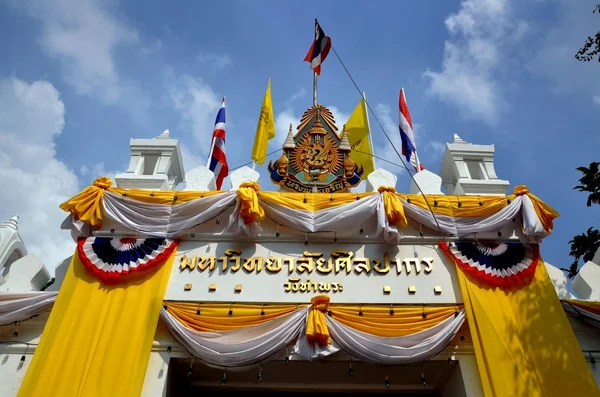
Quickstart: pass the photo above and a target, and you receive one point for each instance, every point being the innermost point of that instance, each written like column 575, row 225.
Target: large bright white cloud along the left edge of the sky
column 34, row 183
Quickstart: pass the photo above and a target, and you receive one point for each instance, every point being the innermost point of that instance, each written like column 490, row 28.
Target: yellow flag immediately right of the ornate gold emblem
column 357, row 129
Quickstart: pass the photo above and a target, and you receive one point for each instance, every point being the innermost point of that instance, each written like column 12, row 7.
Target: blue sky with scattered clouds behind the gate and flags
column 78, row 78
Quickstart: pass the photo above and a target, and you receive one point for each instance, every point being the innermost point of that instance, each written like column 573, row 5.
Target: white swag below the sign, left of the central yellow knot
column 238, row 348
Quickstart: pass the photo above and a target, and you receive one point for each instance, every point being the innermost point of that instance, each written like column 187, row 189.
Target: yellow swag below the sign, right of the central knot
column 377, row 320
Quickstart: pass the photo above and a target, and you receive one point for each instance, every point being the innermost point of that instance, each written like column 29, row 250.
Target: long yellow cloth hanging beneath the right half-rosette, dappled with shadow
column 523, row 342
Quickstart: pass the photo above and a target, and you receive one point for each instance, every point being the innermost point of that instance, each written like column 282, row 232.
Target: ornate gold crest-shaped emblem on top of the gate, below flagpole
column 316, row 159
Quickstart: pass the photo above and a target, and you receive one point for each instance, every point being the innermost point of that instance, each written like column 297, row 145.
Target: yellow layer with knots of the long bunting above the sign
column 87, row 205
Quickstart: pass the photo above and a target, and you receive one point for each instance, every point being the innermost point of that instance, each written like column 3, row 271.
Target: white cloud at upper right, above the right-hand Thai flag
column 480, row 33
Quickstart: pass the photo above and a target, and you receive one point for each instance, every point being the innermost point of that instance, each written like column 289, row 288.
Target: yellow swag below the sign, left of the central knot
column 215, row 317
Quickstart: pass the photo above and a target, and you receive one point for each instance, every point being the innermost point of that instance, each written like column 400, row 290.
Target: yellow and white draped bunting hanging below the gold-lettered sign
column 247, row 337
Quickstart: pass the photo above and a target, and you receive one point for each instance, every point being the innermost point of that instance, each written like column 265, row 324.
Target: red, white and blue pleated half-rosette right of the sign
column 504, row 265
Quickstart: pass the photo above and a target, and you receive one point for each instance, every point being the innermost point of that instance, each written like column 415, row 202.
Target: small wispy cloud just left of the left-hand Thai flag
column 197, row 105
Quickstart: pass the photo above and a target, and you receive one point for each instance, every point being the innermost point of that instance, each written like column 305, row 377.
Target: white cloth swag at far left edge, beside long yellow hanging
column 20, row 306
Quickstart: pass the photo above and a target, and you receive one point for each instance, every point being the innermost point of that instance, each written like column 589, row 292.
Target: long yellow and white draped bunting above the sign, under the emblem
column 172, row 214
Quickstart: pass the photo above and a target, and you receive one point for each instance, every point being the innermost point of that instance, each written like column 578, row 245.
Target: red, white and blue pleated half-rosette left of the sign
column 112, row 258
